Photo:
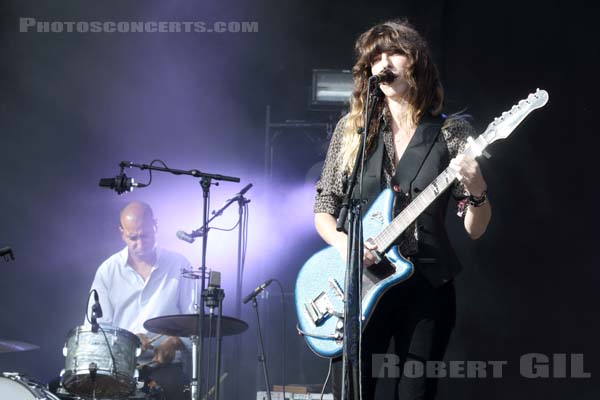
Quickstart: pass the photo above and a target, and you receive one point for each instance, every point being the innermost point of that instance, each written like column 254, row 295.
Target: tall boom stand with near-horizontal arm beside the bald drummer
column 205, row 183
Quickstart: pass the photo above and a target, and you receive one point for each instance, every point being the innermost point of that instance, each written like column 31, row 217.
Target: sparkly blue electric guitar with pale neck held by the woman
column 319, row 291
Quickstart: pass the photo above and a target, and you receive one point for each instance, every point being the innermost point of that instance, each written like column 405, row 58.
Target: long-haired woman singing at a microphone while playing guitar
column 409, row 143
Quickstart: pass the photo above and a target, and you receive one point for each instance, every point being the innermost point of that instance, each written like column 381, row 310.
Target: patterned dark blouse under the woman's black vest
column 332, row 184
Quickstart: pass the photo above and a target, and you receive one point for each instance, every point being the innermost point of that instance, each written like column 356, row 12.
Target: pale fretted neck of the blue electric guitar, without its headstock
column 387, row 237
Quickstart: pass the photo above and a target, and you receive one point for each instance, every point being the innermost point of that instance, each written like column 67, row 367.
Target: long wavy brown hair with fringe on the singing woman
column 425, row 93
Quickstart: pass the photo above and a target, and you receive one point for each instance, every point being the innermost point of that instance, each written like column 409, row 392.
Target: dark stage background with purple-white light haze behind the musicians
column 73, row 105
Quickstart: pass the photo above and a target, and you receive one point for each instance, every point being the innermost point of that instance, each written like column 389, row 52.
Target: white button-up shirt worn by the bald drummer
column 128, row 301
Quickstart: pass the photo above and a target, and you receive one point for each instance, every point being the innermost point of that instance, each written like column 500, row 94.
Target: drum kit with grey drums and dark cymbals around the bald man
column 103, row 365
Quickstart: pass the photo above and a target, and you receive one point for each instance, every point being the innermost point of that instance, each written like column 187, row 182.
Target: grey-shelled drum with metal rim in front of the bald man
column 101, row 364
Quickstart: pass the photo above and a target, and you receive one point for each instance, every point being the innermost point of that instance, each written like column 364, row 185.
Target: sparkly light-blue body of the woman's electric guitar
column 320, row 284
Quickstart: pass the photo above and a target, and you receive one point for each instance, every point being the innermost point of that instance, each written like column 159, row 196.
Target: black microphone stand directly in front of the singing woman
column 353, row 280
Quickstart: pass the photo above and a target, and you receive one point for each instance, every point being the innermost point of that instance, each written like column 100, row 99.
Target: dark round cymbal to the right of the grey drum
column 186, row 325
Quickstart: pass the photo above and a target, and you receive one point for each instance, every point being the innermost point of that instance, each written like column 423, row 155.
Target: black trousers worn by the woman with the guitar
column 411, row 324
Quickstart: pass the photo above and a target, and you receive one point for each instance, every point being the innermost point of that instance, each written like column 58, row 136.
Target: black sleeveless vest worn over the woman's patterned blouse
column 425, row 157
